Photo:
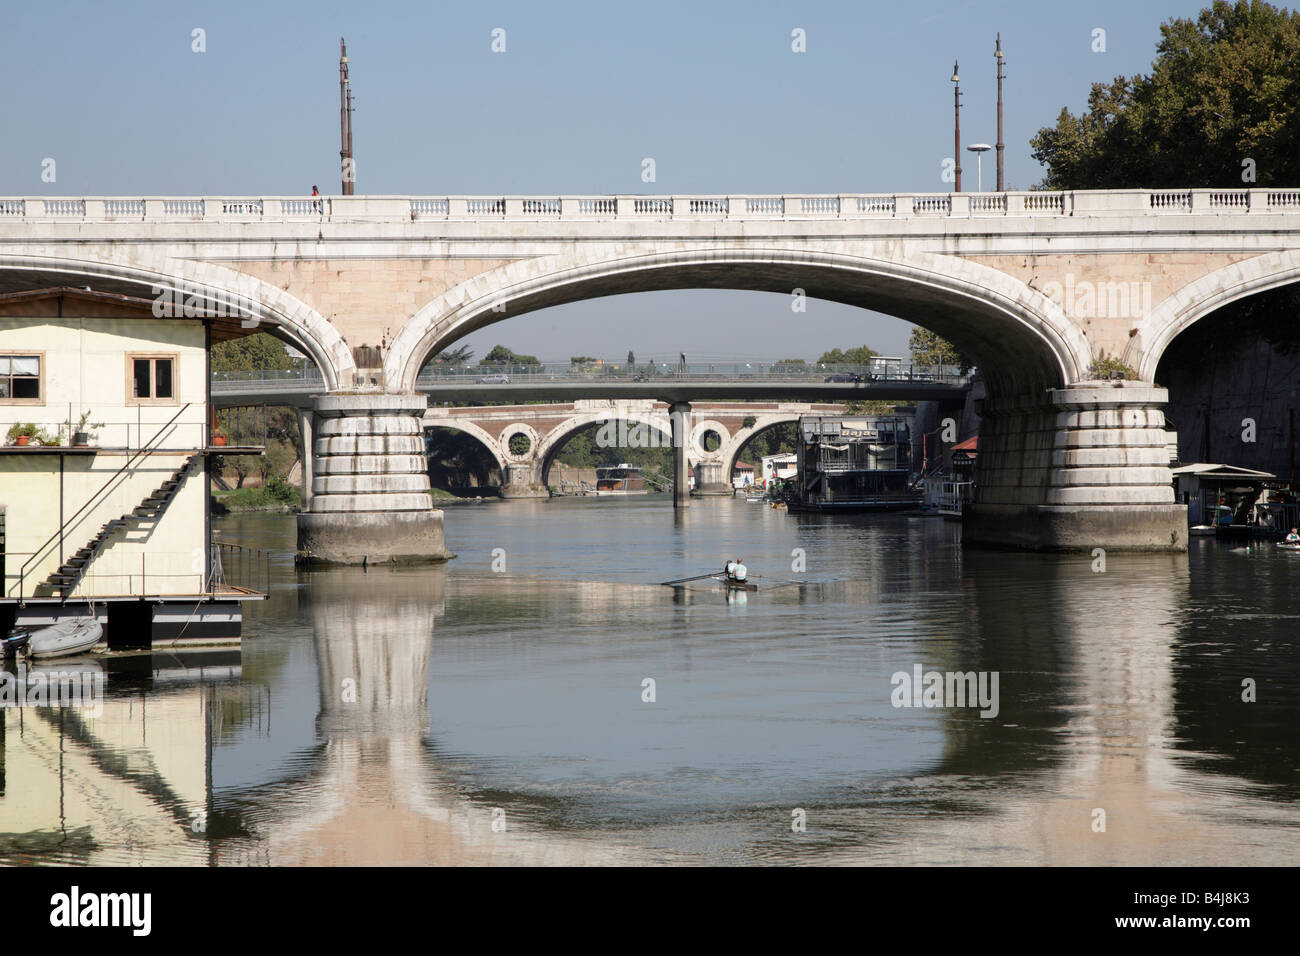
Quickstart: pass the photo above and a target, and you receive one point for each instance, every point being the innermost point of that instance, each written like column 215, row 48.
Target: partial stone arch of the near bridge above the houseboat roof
column 241, row 295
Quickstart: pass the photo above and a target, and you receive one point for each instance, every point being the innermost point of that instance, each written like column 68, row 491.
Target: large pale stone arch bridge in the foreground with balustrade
column 1035, row 287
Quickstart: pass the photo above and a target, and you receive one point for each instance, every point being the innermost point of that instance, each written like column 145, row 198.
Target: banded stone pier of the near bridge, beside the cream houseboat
column 371, row 485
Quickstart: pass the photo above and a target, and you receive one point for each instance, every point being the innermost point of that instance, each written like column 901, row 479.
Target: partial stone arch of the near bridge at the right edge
column 1198, row 300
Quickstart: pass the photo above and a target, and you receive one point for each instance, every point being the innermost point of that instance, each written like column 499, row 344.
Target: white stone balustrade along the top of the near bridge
column 1081, row 204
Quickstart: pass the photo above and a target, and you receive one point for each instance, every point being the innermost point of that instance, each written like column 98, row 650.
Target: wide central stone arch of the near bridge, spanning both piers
column 1021, row 339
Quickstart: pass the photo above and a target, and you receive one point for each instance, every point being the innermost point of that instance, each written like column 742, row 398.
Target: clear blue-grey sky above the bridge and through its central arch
column 583, row 93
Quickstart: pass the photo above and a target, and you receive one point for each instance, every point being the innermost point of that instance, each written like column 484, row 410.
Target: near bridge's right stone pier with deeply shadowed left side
column 1077, row 469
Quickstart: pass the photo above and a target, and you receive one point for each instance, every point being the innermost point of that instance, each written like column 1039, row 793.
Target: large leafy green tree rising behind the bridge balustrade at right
column 1224, row 90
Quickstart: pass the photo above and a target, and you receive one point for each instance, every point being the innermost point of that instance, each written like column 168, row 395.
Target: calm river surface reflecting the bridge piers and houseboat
column 495, row 711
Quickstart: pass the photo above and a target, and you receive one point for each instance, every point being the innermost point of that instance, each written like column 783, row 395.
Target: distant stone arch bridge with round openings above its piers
column 548, row 427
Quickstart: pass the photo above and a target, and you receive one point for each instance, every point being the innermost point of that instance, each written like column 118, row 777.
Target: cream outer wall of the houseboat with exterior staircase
column 85, row 366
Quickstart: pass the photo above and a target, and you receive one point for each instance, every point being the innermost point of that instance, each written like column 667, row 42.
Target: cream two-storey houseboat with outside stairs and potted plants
column 105, row 474
